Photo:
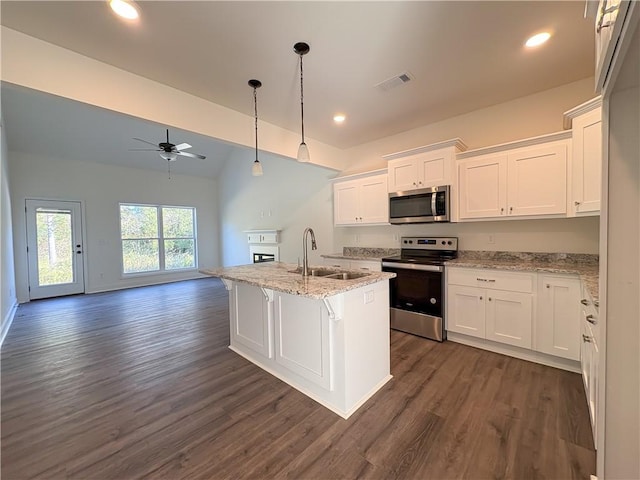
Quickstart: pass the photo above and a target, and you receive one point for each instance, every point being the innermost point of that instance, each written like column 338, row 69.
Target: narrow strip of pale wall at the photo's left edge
column 8, row 300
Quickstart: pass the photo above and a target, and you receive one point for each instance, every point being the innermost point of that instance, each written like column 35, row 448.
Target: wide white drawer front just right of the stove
column 494, row 279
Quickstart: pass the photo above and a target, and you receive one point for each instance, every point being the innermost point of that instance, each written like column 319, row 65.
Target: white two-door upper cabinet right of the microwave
column 519, row 179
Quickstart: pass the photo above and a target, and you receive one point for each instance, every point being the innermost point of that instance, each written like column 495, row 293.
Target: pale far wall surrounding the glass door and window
column 101, row 188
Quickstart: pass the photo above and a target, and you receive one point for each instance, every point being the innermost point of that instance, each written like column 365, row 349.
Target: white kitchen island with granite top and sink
column 327, row 337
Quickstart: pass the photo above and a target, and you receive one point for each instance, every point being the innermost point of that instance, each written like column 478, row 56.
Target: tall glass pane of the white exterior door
column 55, row 246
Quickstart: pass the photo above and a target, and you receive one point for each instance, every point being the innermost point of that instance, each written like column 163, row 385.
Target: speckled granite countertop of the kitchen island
column 277, row 276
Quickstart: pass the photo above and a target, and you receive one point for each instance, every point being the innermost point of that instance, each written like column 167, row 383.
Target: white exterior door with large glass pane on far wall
column 54, row 248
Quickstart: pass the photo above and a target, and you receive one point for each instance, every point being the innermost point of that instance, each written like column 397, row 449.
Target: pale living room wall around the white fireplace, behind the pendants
column 290, row 196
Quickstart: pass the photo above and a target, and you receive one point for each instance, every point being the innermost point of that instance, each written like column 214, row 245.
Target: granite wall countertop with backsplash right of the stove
column 583, row 265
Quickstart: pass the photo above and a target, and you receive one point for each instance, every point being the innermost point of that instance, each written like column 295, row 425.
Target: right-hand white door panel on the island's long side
column 302, row 338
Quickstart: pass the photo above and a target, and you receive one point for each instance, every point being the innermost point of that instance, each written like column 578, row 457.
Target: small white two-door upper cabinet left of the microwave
column 361, row 201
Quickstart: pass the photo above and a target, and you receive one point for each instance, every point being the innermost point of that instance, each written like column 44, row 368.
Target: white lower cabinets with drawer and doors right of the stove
column 537, row 312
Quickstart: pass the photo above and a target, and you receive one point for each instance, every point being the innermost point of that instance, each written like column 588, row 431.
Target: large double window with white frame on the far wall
column 157, row 238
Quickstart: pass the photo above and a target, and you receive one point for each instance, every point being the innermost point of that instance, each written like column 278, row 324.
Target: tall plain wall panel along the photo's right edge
column 622, row 301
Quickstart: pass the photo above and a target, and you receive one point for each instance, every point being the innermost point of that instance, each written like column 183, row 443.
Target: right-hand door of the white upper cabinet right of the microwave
column 537, row 181
